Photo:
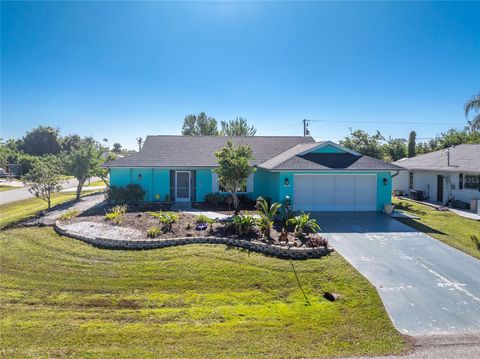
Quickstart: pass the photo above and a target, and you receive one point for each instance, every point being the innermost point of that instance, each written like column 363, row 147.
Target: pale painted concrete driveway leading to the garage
column 427, row 287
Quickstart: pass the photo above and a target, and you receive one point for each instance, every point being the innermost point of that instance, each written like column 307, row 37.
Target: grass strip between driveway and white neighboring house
column 442, row 225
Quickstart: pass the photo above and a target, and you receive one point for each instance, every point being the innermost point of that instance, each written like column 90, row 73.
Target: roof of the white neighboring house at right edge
column 463, row 158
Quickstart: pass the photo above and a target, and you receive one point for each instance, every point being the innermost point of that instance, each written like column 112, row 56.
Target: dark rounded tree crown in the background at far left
column 40, row 141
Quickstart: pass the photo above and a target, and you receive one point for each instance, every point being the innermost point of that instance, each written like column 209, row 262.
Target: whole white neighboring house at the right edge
column 453, row 173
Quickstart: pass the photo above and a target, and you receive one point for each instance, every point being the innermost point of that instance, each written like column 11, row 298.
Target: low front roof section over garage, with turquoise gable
column 334, row 161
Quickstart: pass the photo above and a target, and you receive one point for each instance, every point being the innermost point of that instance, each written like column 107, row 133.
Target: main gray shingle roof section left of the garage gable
column 199, row 151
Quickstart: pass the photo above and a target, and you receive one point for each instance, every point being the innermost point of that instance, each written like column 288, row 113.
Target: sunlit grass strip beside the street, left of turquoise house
column 20, row 210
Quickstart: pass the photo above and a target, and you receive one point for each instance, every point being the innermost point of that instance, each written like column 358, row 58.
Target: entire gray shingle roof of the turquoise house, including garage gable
column 270, row 152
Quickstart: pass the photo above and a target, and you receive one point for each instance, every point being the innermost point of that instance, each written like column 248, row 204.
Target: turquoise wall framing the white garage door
column 384, row 192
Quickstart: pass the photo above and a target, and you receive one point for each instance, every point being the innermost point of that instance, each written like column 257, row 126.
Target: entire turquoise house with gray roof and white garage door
column 319, row 176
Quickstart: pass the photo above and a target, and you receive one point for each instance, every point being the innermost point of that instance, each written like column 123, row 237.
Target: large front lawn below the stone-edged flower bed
column 62, row 298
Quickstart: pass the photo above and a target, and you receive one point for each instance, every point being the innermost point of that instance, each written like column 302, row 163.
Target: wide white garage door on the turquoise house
column 335, row 192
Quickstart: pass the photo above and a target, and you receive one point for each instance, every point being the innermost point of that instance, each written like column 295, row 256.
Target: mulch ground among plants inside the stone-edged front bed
column 185, row 227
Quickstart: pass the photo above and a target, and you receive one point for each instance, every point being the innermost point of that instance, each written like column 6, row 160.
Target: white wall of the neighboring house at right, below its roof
column 427, row 181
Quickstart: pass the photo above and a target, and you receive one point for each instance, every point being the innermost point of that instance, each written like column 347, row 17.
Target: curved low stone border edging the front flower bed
column 255, row 246
